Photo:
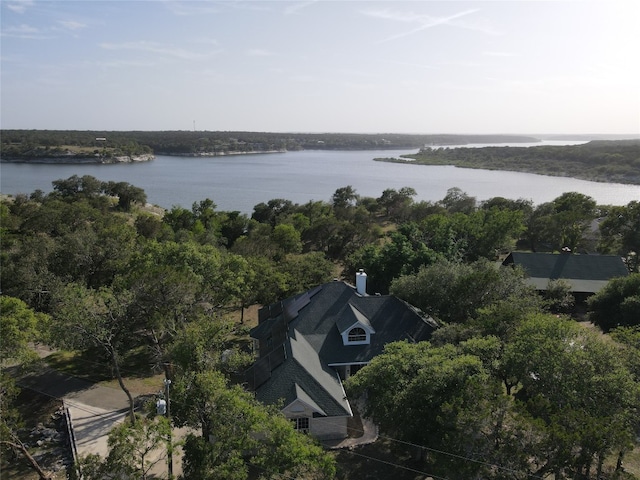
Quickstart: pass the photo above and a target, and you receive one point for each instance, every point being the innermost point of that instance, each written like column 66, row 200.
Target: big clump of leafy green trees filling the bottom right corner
column 574, row 405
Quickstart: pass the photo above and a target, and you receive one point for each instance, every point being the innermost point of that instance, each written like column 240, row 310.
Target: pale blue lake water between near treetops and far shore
column 239, row 182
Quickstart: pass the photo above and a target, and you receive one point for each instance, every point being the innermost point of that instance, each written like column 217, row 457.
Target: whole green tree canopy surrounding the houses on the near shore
column 498, row 383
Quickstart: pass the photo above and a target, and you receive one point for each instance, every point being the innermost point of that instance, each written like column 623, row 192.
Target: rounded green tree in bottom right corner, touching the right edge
column 576, row 390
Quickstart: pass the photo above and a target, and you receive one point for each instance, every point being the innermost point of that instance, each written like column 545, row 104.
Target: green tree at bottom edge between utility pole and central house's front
column 240, row 435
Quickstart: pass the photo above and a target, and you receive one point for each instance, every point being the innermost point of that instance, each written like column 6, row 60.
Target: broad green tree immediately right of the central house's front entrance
column 441, row 399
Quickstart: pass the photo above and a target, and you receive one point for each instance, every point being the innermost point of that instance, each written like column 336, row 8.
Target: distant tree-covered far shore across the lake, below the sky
column 615, row 161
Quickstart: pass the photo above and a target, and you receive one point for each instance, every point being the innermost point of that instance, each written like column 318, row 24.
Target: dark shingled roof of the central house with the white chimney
column 313, row 342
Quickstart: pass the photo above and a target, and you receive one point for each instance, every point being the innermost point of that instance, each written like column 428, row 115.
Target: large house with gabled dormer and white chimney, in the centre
column 309, row 344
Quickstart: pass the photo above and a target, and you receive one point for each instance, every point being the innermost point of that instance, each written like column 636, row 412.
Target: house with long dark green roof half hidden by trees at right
column 587, row 274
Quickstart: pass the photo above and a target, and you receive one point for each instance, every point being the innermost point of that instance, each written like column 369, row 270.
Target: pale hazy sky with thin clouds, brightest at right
column 481, row 67
